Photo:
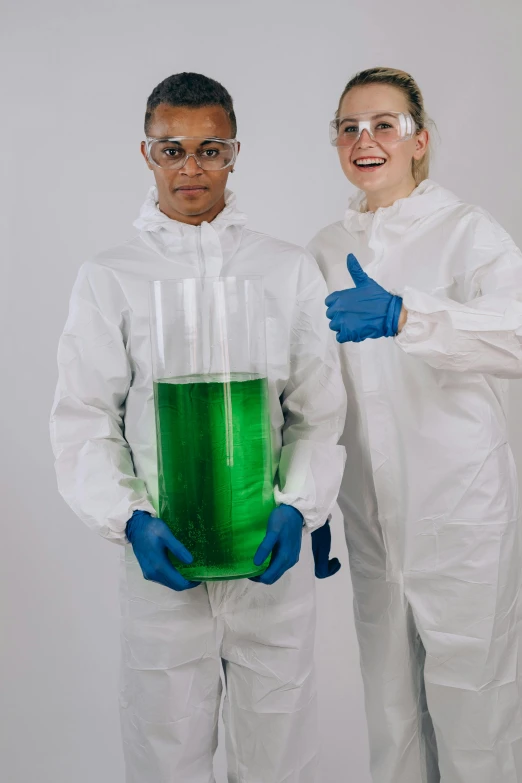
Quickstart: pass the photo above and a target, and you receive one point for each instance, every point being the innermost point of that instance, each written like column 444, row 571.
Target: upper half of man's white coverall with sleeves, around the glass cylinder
column 102, row 423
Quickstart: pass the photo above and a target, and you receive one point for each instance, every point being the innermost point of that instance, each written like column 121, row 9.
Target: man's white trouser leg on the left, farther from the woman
column 171, row 683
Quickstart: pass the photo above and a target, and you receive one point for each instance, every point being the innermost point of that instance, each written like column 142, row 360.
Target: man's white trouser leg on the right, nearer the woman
column 270, row 706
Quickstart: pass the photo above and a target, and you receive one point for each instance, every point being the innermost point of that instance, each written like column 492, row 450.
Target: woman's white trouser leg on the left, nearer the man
column 402, row 742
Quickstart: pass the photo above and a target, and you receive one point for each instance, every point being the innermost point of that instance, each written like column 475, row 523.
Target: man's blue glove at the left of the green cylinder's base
column 151, row 538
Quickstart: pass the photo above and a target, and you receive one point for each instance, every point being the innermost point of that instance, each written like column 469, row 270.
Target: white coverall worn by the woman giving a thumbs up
column 430, row 494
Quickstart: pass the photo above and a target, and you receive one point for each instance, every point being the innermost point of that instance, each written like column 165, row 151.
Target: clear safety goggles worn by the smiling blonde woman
column 383, row 126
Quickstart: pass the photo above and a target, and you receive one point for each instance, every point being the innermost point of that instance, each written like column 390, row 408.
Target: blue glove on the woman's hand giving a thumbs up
column 367, row 310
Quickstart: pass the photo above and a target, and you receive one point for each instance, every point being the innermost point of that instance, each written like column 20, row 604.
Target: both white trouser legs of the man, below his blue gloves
column 173, row 648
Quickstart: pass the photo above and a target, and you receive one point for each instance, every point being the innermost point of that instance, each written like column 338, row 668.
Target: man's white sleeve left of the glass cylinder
column 94, row 464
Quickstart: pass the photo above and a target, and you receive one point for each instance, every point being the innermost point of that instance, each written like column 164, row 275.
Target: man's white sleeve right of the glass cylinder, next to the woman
column 314, row 406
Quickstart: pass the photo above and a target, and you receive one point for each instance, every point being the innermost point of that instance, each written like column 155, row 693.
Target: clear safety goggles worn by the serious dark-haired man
column 211, row 154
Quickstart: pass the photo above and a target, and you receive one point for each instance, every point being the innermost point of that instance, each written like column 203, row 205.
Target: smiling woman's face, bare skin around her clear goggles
column 394, row 170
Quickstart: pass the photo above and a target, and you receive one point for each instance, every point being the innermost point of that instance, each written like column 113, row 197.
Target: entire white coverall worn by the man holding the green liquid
column 104, row 442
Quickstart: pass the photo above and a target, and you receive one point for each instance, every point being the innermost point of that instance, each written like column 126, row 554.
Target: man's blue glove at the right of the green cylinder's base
column 284, row 533
